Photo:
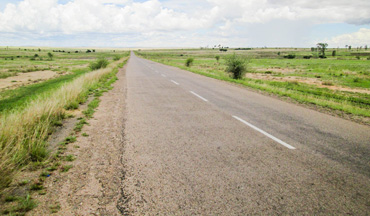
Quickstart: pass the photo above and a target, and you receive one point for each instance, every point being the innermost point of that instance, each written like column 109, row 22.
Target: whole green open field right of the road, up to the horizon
column 339, row 84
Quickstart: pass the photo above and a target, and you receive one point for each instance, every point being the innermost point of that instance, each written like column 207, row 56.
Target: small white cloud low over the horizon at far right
column 356, row 39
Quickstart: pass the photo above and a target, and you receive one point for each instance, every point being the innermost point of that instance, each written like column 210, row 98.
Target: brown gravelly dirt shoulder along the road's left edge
column 92, row 185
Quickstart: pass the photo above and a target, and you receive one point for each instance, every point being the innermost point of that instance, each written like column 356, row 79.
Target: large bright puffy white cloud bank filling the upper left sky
column 96, row 16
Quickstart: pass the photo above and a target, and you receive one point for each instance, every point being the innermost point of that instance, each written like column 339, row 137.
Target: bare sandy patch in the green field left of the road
column 26, row 78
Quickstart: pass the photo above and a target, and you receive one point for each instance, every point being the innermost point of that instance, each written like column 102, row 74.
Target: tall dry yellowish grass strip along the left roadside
column 24, row 133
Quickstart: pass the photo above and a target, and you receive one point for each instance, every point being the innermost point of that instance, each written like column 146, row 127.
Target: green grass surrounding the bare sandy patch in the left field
column 75, row 64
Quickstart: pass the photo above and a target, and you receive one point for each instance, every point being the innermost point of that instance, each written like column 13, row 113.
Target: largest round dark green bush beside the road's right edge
column 236, row 66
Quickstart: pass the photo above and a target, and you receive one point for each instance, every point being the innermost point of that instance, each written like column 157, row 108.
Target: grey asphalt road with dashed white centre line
column 195, row 145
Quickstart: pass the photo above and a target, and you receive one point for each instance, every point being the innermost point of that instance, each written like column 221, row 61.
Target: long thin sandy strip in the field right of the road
column 306, row 80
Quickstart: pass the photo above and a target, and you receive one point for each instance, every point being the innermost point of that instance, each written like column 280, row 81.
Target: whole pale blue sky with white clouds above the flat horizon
column 184, row 23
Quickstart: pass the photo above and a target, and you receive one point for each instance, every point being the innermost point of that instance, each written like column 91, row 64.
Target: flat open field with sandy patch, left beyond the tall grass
column 23, row 79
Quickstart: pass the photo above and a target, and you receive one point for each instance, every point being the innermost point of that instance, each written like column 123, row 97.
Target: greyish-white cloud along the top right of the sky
column 260, row 11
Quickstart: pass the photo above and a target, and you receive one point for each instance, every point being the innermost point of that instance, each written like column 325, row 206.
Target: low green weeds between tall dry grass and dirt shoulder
column 11, row 204
